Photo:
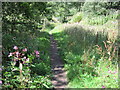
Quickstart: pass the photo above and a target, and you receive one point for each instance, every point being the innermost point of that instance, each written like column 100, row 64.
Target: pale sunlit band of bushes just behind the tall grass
column 92, row 19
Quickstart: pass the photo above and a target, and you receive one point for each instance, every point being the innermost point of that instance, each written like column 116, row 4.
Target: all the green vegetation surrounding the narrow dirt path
column 87, row 37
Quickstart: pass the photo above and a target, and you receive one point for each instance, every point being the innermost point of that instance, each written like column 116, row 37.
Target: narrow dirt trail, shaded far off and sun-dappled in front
column 59, row 79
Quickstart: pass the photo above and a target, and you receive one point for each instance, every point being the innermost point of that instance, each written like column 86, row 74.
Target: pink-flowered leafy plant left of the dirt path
column 19, row 73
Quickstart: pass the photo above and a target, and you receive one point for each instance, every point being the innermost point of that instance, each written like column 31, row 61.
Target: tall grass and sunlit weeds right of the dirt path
column 89, row 55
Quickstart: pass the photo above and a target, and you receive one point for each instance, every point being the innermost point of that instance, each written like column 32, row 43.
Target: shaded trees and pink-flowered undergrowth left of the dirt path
column 28, row 64
